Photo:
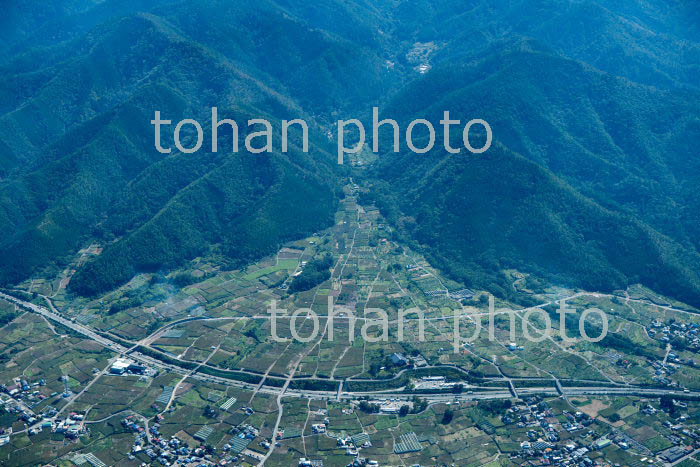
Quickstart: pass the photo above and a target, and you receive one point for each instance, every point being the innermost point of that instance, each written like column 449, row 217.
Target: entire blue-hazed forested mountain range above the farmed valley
column 593, row 177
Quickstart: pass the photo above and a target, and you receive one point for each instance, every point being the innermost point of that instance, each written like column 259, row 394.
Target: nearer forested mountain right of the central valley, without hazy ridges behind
column 608, row 186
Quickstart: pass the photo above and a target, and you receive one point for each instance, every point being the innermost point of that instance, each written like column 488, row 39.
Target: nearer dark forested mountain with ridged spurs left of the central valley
column 82, row 147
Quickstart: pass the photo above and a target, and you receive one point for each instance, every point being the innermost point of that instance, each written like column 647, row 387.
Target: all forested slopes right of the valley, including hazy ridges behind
column 595, row 175
